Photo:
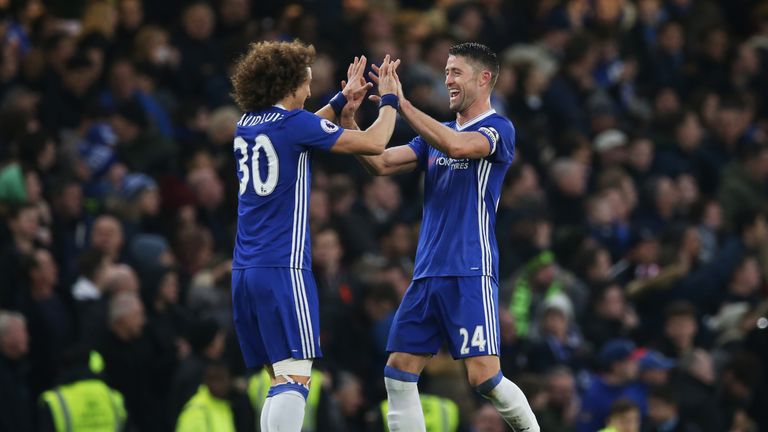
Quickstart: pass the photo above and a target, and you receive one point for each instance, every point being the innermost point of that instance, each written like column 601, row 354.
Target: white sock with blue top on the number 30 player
column 286, row 412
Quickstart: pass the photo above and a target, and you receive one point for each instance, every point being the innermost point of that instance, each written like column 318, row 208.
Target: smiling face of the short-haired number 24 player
column 463, row 80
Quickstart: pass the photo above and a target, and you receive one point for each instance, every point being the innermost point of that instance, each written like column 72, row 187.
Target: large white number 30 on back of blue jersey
column 262, row 142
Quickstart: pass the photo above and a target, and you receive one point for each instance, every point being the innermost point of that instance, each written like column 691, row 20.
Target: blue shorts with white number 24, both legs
column 461, row 311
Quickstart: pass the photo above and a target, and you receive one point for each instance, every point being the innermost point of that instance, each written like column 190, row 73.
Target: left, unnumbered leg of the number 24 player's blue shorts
column 415, row 329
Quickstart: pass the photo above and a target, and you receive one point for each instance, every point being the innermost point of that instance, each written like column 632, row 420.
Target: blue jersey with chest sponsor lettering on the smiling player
column 457, row 235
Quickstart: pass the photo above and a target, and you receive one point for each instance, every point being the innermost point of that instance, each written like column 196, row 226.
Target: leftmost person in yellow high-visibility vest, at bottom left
column 83, row 402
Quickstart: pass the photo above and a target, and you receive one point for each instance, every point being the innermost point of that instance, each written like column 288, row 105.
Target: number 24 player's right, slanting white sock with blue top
column 511, row 403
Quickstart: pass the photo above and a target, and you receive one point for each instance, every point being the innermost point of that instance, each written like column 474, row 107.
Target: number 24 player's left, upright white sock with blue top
column 404, row 404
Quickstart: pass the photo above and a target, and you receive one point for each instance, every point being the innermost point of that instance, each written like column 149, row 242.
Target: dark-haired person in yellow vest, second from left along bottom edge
column 209, row 410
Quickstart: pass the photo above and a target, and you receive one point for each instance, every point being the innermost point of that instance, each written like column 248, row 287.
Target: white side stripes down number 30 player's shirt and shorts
column 298, row 243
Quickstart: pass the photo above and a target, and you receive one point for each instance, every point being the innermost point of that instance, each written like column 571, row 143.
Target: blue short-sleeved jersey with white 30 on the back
column 273, row 149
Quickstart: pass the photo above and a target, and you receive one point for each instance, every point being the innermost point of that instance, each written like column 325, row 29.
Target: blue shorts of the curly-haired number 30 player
column 276, row 314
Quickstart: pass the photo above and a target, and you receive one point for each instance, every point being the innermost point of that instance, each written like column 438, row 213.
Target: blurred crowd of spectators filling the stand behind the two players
column 632, row 226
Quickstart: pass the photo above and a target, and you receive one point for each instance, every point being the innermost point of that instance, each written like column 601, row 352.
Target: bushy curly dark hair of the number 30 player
column 270, row 71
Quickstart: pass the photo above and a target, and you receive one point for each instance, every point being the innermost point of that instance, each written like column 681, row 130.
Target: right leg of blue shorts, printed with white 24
column 469, row 315
